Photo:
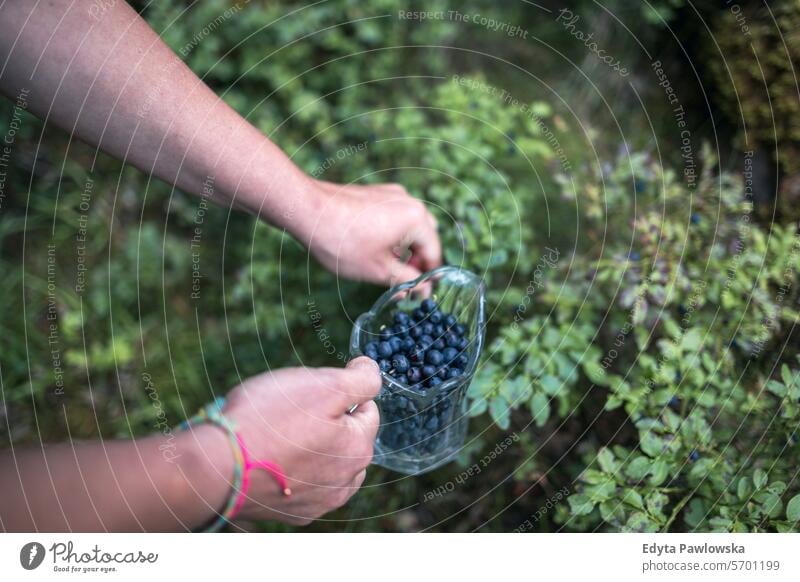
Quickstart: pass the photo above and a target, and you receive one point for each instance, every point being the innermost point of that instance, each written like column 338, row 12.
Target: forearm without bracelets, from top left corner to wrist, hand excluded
column 109, row 80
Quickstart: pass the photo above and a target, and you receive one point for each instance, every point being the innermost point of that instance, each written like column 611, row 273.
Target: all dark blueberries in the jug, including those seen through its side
column 422, row 349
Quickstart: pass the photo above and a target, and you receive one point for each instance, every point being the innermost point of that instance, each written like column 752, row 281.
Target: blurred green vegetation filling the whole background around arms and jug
column 649, row 372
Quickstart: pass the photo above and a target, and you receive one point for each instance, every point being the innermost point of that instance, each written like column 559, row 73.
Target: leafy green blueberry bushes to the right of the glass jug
column 677, row 326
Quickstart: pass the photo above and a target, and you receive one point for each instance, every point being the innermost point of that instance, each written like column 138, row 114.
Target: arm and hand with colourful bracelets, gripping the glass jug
column 295, row 417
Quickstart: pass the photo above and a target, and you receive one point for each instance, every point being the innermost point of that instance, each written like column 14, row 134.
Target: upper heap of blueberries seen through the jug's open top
column 423, row 348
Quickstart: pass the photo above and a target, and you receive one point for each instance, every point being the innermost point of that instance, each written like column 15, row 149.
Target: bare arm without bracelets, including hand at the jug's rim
column 107, row 78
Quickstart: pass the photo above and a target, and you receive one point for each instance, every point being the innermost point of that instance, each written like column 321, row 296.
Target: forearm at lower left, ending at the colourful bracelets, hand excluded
column 159, row 483
